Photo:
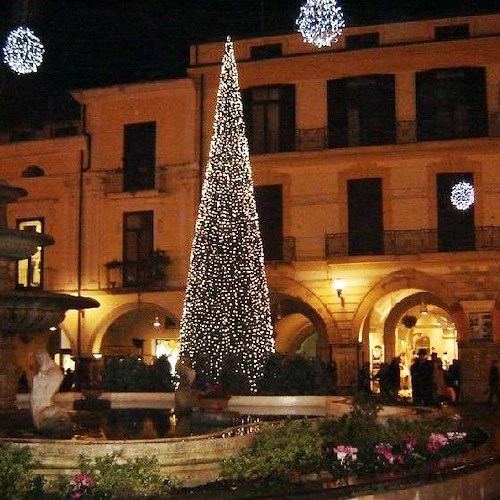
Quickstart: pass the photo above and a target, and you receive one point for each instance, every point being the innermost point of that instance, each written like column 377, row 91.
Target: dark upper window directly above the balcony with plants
column 139, row 156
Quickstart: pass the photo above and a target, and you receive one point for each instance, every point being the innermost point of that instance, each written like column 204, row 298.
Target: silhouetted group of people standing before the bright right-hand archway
column 430, row 382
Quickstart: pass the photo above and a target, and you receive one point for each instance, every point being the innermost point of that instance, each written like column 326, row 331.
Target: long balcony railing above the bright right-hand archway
column 414, row 241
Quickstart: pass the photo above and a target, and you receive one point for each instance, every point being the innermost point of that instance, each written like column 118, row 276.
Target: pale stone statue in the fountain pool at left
column 47, row 417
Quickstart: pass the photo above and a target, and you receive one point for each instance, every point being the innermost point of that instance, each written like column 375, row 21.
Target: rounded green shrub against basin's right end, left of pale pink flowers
column 278, row 451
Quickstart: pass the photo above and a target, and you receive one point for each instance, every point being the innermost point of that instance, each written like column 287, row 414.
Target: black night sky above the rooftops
column 102, row 42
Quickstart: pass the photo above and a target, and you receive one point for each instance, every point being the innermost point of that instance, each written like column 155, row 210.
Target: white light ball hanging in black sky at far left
column 23, row 51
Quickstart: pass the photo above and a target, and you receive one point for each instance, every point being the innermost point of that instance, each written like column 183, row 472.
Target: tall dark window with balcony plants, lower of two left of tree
column 137, row 248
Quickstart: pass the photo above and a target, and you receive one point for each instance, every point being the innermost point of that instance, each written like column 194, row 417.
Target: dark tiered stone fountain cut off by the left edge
column 27, row 311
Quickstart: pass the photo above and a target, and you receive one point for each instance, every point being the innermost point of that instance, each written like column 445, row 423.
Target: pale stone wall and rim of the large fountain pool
column 194, row 460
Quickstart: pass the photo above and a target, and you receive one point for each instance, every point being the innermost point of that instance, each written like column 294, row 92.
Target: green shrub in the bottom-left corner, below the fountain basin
column 17, row 478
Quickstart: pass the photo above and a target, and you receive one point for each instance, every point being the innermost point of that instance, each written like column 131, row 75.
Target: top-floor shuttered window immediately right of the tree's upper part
column 270, row 118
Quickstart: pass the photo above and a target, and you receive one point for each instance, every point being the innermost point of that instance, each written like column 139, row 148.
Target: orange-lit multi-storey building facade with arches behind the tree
column 376, row 166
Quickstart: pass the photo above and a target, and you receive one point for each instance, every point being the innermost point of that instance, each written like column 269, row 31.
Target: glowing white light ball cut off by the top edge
column 320, row 22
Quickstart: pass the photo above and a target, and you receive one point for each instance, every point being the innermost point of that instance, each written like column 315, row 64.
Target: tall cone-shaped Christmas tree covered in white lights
column 226, row 320
